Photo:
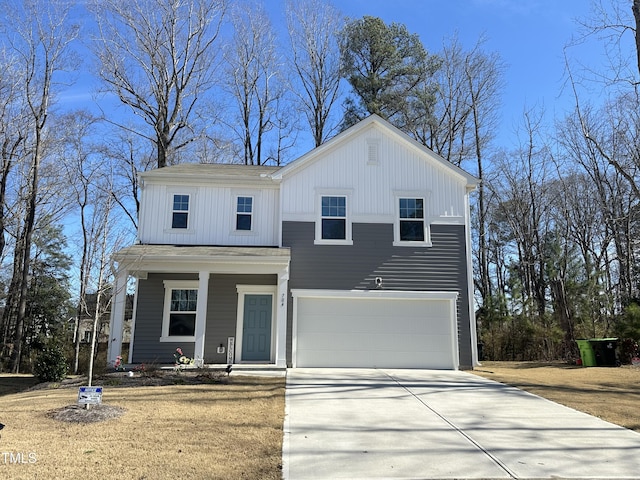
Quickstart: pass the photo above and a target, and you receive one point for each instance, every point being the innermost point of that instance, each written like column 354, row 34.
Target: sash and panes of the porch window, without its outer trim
column 180, row 313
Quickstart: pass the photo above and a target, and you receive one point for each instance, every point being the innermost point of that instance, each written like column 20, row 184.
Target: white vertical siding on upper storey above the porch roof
column 212, row 215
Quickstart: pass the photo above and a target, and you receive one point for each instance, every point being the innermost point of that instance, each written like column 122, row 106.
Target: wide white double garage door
column 375, row 329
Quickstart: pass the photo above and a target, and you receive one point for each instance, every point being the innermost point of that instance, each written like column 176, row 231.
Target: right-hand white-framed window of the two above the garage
column 411, row 226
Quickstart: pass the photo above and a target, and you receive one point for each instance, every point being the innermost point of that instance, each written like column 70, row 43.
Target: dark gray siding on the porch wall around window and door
column 221, row 316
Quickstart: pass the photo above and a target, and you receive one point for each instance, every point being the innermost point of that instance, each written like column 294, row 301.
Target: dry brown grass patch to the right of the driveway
column 612, row 394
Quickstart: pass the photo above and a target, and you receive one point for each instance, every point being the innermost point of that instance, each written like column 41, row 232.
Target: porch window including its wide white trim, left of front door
column 179, row 314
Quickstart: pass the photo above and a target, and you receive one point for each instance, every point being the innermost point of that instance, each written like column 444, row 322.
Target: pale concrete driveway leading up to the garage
column 366, row 423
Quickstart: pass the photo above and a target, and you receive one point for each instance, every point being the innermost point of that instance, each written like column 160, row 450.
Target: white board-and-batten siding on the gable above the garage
column 374, row 169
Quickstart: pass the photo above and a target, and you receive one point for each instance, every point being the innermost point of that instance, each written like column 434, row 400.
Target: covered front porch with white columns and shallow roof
column 220, row 305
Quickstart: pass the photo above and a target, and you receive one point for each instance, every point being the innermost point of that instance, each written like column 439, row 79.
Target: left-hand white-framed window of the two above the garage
column 333, row 224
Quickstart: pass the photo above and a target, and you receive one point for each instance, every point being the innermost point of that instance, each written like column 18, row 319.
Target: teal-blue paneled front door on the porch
column 256, row 328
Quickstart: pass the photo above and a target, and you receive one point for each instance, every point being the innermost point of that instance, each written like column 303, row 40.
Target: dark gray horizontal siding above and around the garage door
column 344, row 267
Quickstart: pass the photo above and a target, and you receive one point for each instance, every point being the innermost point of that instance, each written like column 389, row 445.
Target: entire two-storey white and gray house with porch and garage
column 357, row 254
